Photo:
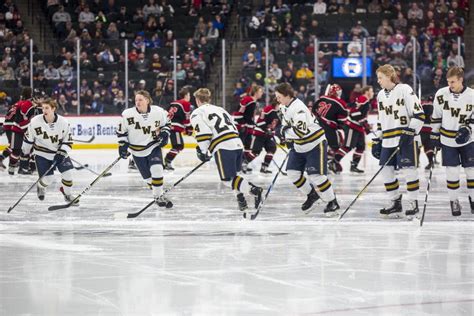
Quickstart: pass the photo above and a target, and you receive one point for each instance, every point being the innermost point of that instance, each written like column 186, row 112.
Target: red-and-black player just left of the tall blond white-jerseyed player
column 355, row 128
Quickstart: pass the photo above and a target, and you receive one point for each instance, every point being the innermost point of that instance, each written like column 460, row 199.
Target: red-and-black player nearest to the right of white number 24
column 244, row 118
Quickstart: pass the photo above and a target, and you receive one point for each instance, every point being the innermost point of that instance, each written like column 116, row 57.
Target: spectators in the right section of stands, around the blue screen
column 389, row 27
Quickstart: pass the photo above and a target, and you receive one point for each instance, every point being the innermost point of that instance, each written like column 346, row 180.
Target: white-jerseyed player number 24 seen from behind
column 217, row 135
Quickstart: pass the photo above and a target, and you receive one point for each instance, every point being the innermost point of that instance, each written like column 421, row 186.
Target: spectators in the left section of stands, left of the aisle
column 150, row 26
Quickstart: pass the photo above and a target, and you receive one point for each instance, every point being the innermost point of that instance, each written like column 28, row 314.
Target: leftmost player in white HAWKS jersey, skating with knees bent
column 51, row 139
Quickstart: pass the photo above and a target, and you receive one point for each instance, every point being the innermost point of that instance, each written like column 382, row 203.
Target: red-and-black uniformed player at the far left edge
column 16, row 122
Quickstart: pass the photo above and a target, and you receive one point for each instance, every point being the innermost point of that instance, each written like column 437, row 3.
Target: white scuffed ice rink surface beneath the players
column 201, row 258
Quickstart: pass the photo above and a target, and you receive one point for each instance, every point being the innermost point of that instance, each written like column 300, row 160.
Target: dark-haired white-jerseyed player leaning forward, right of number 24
column 309, row 152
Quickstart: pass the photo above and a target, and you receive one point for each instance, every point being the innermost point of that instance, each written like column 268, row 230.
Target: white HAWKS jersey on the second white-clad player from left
column 141, row 129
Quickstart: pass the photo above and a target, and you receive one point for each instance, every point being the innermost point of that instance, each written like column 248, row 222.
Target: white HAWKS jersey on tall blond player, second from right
column 399, row 109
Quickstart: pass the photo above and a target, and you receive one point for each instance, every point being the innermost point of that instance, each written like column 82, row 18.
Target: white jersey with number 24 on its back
column 215, row 129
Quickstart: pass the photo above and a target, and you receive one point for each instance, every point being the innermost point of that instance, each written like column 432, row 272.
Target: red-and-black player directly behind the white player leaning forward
column 331, row 112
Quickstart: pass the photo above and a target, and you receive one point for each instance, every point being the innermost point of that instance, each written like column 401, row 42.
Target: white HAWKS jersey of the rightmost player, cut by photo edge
column 450, row 112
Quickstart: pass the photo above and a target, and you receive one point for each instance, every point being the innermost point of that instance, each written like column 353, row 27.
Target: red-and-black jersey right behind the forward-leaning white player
column 330, row 111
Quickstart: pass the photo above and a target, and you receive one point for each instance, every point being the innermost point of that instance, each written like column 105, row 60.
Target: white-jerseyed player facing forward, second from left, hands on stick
column 143, row 131
